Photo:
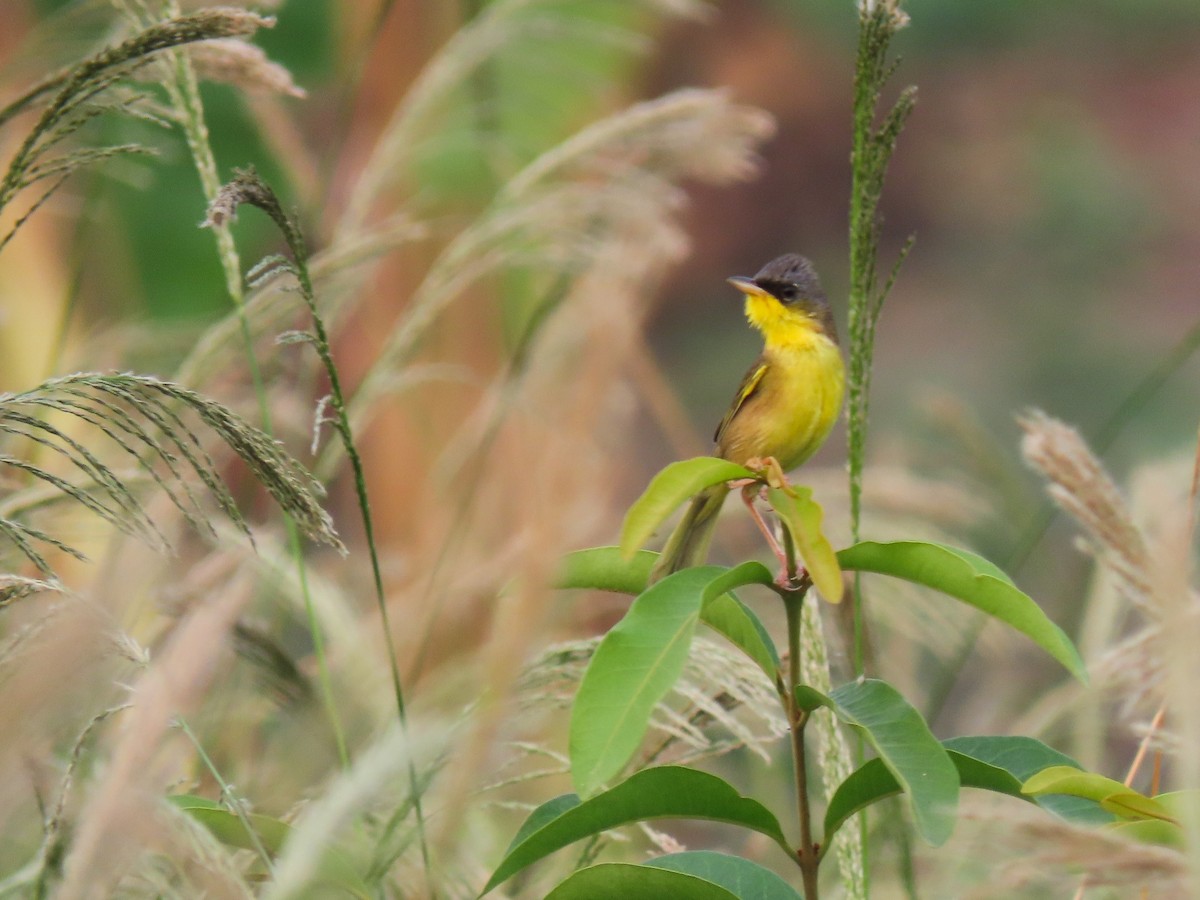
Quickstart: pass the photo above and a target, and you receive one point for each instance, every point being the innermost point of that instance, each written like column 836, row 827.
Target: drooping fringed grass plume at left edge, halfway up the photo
column 143, row 421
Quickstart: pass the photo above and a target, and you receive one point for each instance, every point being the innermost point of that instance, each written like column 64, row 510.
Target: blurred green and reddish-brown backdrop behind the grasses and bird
column 1049, row 176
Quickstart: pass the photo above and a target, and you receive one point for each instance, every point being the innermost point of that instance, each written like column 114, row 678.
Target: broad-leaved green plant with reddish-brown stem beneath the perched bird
column 640, row 659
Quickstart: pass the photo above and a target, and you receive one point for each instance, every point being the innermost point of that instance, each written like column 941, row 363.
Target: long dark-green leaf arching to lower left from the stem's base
column 661, row 793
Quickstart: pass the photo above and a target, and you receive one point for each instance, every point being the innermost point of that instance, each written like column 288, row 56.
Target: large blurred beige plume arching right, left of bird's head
column 613, row 177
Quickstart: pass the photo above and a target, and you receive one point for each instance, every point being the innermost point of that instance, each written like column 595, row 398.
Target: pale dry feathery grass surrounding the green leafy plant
column 488, row 459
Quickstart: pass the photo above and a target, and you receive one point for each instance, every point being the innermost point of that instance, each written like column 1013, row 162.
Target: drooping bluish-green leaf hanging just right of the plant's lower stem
column 920, row 764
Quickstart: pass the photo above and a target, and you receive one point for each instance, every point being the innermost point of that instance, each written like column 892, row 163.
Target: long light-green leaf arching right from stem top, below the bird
column 973, row 580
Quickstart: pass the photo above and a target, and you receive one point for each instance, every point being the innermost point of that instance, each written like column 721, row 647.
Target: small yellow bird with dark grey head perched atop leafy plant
column 788, row 404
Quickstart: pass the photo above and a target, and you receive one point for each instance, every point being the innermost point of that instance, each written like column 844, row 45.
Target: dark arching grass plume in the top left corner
column 75, row 100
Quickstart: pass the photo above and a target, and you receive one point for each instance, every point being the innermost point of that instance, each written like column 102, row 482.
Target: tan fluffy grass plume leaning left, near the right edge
column 1083, row 489
